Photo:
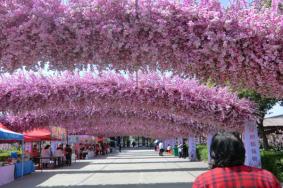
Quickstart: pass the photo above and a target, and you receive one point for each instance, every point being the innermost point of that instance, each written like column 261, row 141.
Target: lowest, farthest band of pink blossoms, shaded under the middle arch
column 91, row 119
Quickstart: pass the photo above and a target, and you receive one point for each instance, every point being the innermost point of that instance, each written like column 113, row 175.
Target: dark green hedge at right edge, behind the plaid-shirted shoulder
column 273, row 161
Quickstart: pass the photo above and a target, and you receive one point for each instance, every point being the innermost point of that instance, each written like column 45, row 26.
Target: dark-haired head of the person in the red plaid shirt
column 227, row 149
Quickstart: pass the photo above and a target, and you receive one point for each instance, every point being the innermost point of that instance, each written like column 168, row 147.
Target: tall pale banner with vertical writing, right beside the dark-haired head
column 251, row 142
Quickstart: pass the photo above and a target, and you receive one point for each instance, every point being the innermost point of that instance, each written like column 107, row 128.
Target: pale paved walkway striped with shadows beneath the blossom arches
column 129, row 169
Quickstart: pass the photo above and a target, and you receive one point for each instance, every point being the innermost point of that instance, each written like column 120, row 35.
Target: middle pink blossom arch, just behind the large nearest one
column 171, row 96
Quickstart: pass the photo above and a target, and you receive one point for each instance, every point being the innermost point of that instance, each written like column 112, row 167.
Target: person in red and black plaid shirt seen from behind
column 228, row 170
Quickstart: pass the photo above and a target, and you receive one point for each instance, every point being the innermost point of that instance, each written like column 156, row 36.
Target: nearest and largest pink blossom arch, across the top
column 241, row 45
